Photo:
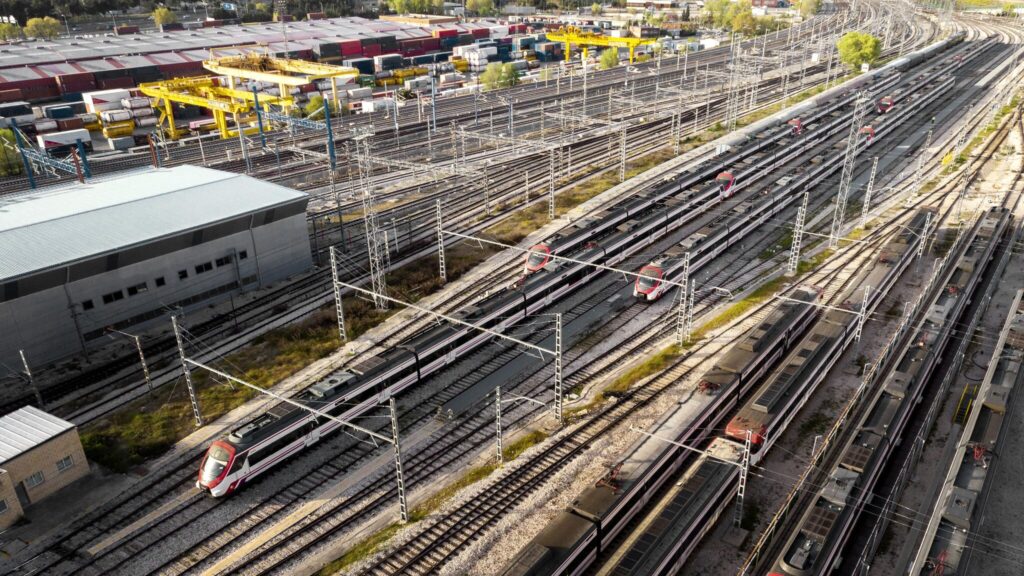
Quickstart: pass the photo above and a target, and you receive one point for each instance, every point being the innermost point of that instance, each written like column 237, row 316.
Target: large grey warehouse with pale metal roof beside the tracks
column 129, row 251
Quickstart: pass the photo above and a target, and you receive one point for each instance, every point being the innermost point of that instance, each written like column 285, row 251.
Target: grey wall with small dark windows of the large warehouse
column 45, row 324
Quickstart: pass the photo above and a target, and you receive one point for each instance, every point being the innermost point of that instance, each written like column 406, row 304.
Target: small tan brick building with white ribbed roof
column 39, row 456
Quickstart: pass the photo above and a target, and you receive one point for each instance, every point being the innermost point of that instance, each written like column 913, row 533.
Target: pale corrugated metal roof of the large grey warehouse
column 47, row 230
